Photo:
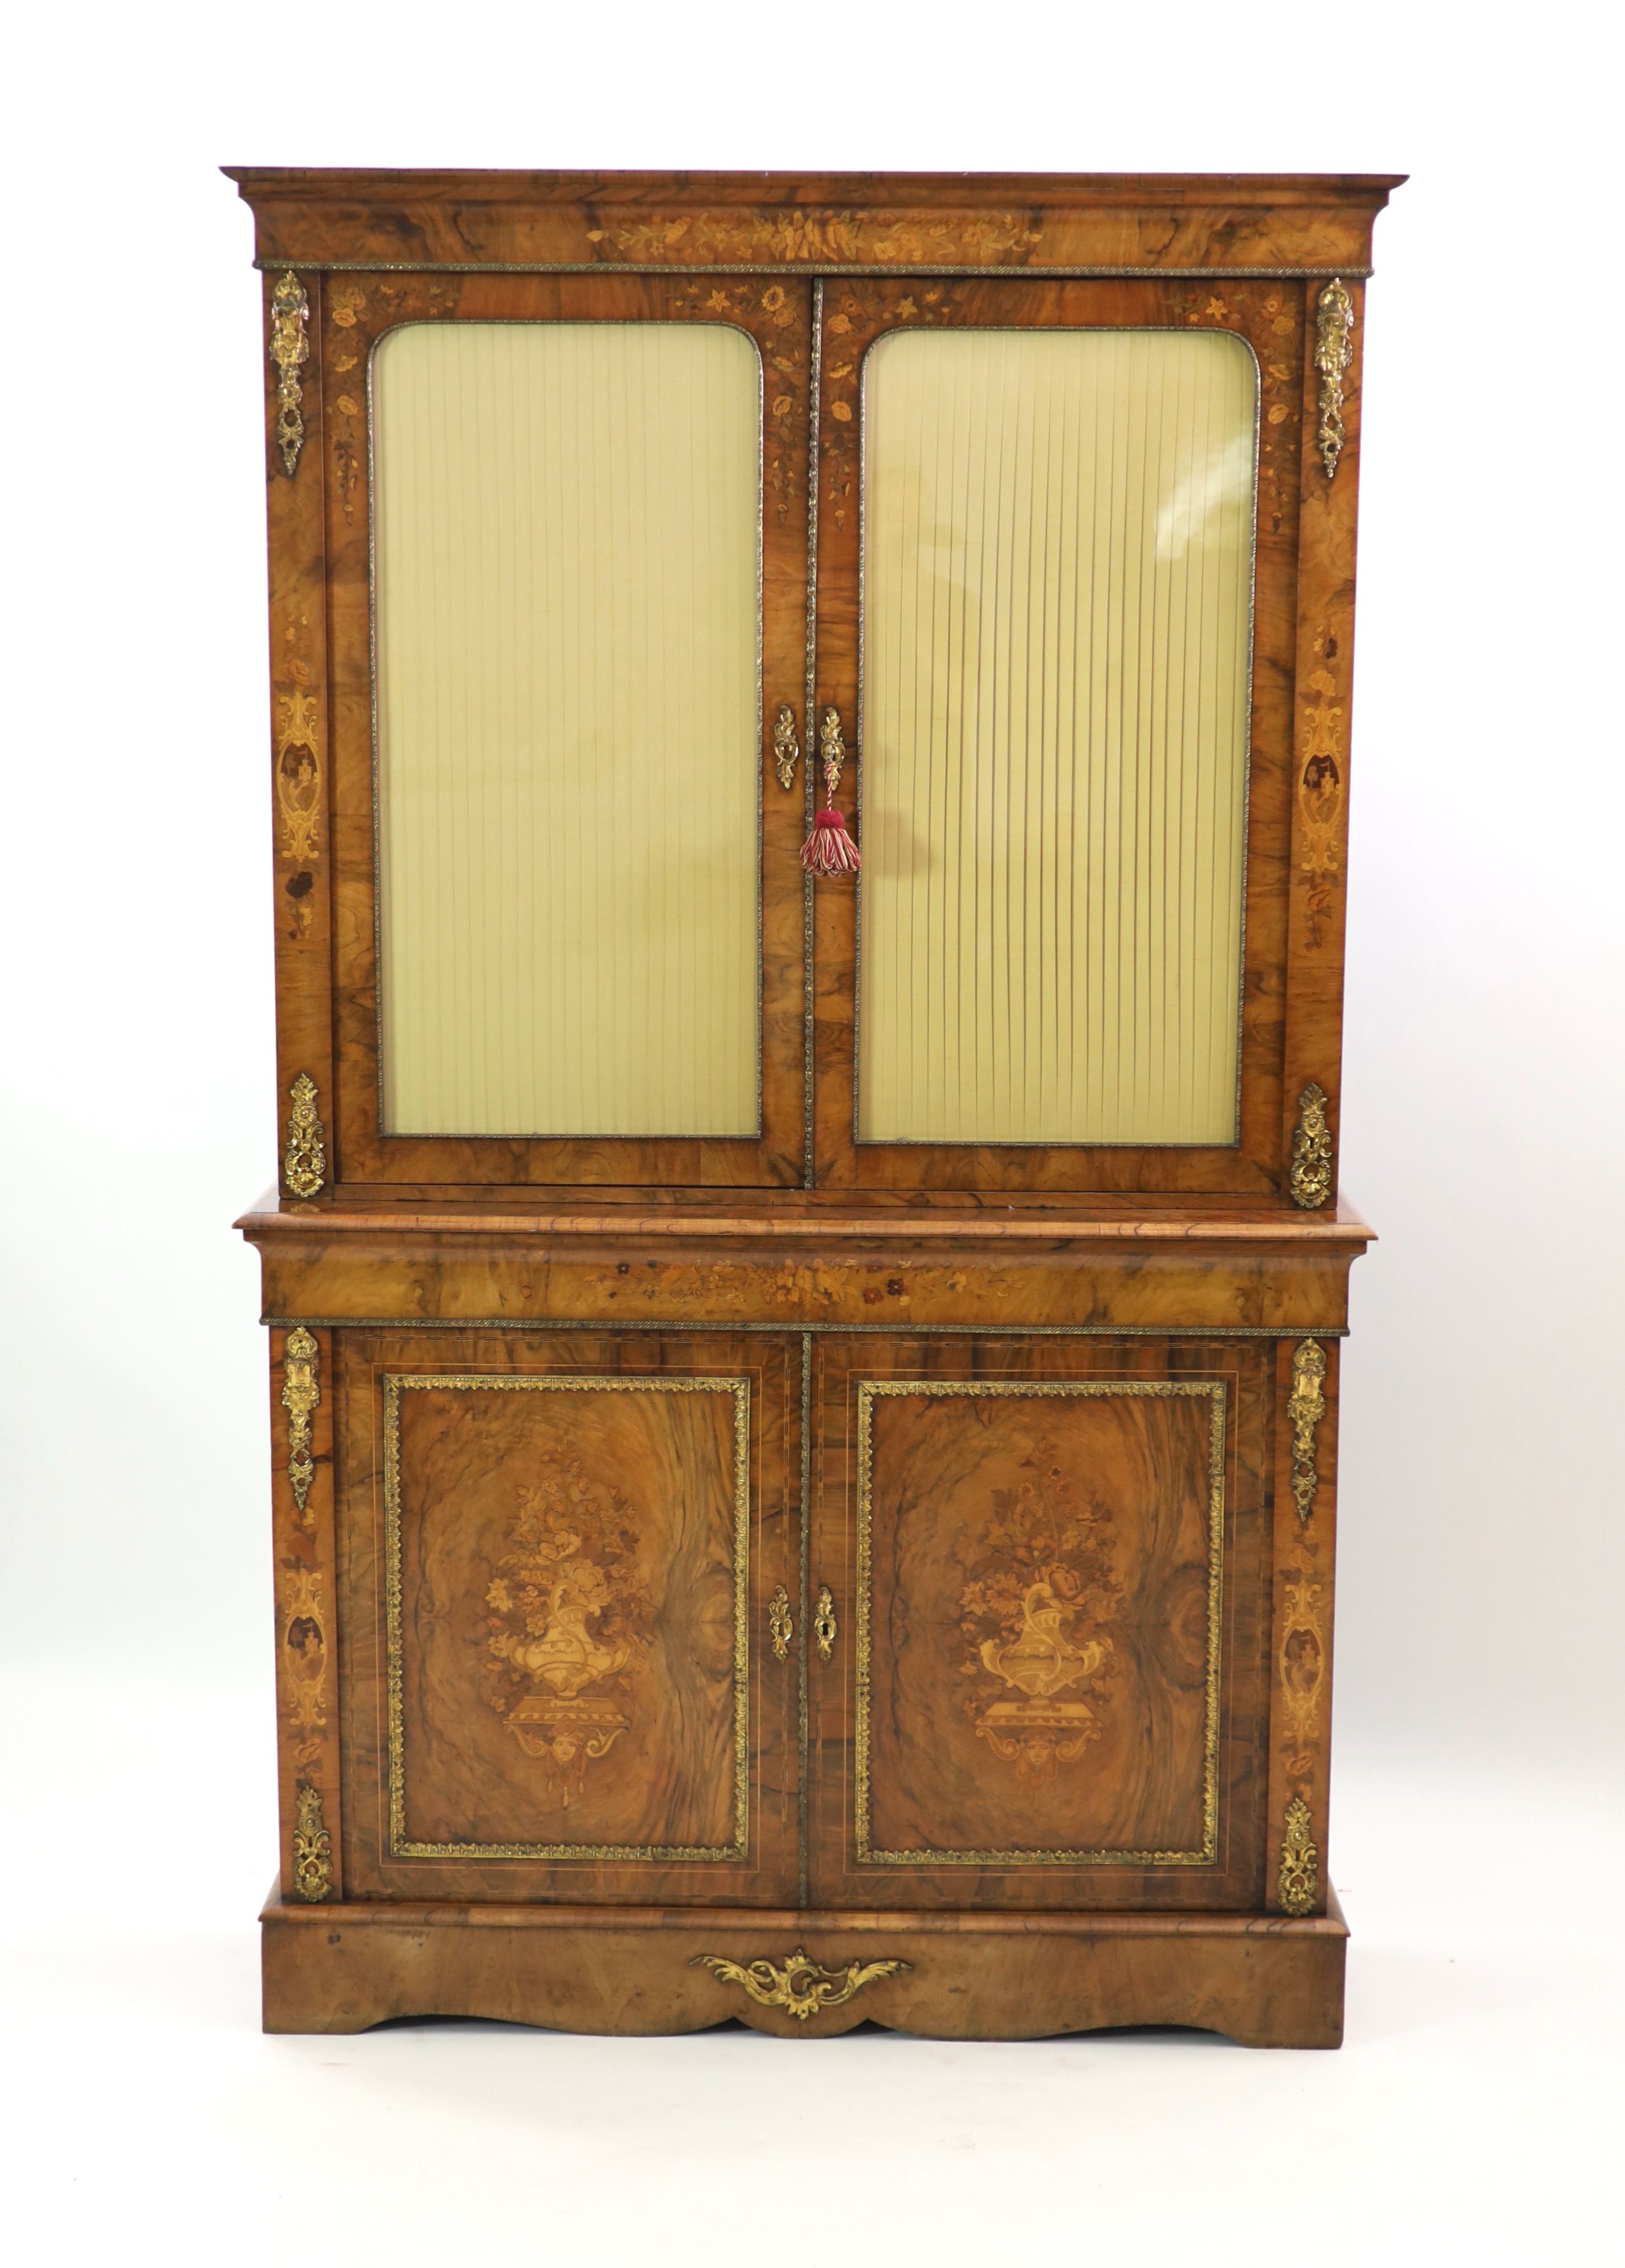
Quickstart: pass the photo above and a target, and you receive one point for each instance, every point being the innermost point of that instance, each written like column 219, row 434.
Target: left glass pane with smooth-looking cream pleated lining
column 568, row 652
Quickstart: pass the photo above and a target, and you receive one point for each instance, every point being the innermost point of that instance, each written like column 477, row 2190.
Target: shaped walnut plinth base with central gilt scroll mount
column 1259, row 1979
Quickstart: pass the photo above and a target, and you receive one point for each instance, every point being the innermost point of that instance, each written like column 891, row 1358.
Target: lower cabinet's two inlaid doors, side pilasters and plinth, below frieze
column 987, row 1673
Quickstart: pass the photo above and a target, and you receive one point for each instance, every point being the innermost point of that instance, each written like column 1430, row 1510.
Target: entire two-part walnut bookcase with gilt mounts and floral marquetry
column 806, row 1407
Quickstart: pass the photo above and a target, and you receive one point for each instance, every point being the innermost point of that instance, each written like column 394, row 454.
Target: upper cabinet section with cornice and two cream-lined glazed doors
column 622, row 525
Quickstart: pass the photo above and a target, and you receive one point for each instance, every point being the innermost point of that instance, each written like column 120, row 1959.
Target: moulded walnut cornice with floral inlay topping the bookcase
column 1109, row 223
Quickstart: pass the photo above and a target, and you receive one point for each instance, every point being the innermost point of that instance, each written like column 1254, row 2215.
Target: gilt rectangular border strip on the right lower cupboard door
column 1044, row 1389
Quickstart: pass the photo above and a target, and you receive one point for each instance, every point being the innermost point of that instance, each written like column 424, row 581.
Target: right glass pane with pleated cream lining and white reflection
column 1057, row 632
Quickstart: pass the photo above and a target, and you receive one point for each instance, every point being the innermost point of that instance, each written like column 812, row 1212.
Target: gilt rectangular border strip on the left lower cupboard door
column 395, row 1385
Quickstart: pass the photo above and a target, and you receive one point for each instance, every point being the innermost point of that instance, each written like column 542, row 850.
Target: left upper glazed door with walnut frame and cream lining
column 568, row 584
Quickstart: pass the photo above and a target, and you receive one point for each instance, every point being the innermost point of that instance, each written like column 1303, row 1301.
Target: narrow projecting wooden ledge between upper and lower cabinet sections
column 792, row 1219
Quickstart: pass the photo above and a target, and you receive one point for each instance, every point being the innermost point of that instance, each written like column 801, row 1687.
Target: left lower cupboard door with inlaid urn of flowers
column 559, row 1562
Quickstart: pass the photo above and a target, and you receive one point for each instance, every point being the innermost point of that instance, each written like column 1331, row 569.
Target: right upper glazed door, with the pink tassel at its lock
column 1057, row 618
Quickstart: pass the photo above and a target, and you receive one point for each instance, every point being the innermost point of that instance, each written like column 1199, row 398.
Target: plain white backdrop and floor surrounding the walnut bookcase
column 1479, row 1713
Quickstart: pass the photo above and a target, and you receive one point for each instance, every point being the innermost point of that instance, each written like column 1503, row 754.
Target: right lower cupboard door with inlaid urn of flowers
column 1039, row 1673
